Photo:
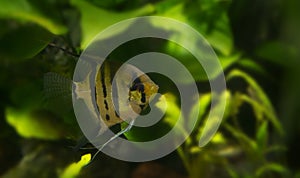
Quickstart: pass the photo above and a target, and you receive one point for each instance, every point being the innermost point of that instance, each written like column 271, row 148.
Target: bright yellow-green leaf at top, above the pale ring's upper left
column 95, row 19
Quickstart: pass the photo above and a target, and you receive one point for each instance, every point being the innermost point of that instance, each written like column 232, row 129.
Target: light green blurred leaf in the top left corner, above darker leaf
column 43, row 14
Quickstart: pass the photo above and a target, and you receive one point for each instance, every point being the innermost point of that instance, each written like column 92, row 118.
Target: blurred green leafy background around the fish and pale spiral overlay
column 257, row 42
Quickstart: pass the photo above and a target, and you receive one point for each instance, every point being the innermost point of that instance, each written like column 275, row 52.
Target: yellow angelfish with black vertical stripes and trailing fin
column 111, row 103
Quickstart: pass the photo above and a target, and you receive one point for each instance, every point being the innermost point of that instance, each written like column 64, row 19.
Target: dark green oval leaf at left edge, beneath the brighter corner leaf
column 24, row 42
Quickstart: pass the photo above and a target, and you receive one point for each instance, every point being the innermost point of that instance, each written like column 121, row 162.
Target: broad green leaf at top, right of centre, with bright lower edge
column 201, row 16
